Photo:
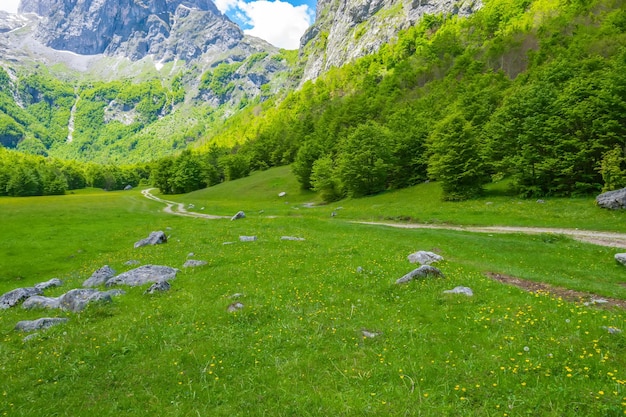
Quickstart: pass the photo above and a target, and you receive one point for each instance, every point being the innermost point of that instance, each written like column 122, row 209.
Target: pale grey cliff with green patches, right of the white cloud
column 347, row 29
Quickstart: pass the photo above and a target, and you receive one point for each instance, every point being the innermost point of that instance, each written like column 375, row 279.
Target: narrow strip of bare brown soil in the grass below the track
column 564, row 293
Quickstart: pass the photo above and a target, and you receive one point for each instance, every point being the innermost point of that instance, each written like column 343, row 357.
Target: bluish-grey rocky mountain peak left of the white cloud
column 165, row 29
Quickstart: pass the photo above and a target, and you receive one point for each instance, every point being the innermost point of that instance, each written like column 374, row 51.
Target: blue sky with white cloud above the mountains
column 280, row 22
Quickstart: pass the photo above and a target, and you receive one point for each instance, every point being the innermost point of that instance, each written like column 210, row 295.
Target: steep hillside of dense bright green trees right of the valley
column 534, row 91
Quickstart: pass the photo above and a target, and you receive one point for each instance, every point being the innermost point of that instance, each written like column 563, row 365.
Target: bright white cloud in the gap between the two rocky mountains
column 280, row 23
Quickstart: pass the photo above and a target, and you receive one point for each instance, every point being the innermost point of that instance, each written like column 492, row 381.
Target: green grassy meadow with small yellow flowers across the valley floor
column 296, row 348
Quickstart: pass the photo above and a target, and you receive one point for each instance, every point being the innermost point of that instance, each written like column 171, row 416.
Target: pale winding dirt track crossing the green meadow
column 615, row 240
